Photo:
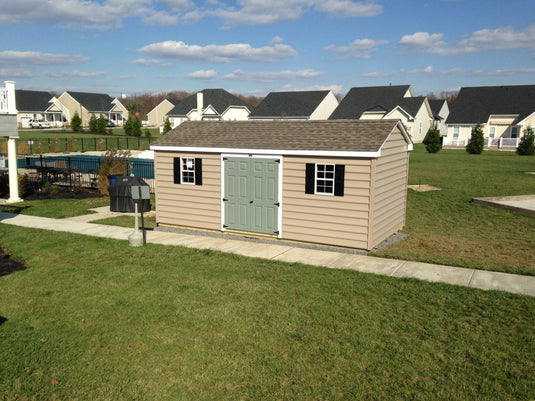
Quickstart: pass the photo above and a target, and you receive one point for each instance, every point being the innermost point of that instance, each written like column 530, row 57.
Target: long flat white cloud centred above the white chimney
column 217, row 53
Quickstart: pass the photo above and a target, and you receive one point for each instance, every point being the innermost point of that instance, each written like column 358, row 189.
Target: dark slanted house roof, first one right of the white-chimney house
column 289, row 104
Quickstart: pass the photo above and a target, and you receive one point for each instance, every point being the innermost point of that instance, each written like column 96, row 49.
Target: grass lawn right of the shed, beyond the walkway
column 445, row 228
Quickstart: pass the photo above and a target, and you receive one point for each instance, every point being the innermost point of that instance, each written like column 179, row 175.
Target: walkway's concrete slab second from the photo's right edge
column 434, row 273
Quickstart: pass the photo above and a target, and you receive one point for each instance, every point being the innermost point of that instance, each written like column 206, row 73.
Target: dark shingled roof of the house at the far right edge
column 476, row 104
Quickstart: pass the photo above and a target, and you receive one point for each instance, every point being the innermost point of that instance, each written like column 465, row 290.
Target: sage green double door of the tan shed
column 251, row 194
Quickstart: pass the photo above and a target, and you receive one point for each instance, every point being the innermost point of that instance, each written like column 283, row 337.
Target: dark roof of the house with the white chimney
column 219, row 99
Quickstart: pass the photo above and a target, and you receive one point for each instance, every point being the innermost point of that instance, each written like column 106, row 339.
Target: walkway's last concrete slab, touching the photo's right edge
column 488, row 280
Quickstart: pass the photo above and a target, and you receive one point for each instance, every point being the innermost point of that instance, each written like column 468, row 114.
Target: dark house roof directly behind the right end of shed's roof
column 372, row 98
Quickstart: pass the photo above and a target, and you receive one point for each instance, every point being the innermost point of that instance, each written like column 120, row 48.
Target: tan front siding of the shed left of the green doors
column 196, row 206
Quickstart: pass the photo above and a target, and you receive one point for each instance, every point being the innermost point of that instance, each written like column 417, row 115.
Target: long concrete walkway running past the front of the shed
column 287, row 252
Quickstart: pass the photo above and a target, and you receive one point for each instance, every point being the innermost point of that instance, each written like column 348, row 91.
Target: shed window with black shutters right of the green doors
column 325, row 179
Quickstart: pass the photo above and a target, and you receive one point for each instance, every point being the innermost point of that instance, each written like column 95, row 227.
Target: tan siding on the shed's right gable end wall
column 390, row 189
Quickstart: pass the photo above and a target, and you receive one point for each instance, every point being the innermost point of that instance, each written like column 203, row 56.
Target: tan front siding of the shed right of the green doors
column 334, row 220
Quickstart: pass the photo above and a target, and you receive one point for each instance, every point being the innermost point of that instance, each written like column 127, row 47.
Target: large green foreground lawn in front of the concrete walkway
column 95, row 319
